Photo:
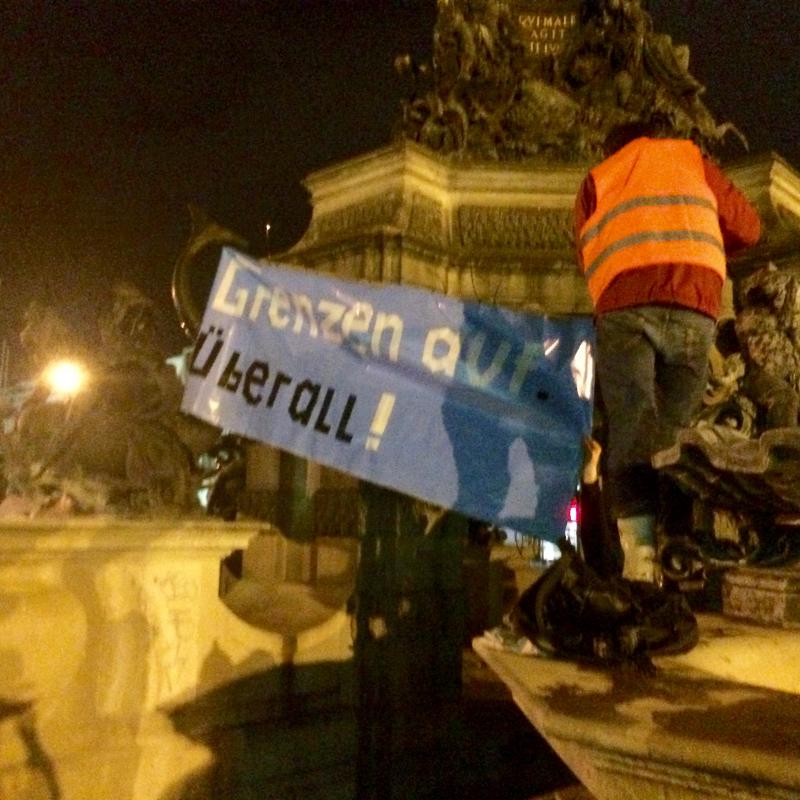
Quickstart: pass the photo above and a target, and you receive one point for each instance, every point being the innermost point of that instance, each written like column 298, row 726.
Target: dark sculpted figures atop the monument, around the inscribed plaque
column 484, row 96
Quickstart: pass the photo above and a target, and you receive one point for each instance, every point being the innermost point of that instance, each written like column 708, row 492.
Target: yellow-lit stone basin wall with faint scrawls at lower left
column 109, row 625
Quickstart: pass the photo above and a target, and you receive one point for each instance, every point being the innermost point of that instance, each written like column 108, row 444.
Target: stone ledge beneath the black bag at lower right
column 720, row 720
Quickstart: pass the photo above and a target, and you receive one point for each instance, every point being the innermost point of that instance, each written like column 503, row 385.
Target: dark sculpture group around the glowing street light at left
column 119, row 445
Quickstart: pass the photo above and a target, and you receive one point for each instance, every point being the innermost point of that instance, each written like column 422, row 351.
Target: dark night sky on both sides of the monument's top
column 115, row 115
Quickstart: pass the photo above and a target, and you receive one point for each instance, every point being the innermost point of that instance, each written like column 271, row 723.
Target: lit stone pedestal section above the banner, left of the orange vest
column 496, row 233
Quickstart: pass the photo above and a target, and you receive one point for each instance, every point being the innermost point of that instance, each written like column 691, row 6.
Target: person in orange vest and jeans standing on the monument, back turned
column 654, row 224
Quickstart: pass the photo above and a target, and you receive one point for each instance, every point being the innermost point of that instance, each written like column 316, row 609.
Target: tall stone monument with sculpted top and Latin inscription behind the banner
column 474, row 196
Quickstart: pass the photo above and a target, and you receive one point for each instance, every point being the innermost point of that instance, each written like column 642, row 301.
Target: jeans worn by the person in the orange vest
column 651, row 369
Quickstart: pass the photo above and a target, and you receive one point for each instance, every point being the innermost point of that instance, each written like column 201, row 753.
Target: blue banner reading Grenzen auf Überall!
column 468, row 406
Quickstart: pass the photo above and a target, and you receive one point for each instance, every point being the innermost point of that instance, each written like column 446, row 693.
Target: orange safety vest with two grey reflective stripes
column 653, row 207
